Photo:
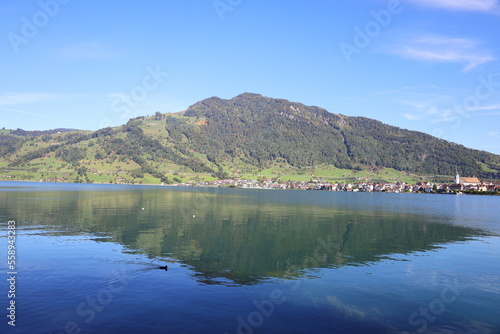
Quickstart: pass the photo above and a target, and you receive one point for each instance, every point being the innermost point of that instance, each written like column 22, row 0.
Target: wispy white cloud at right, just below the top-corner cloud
column 444, row 49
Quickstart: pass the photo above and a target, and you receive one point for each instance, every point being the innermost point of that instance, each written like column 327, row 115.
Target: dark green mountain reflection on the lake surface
column 233, row 237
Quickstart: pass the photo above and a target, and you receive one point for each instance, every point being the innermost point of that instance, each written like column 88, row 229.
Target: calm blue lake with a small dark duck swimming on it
column 249, row 261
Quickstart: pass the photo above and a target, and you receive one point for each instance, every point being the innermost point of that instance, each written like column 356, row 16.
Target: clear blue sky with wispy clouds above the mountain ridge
column 426, row 65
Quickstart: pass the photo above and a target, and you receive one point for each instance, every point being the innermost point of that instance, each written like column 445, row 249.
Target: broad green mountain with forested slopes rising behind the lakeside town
column 248, row 133
